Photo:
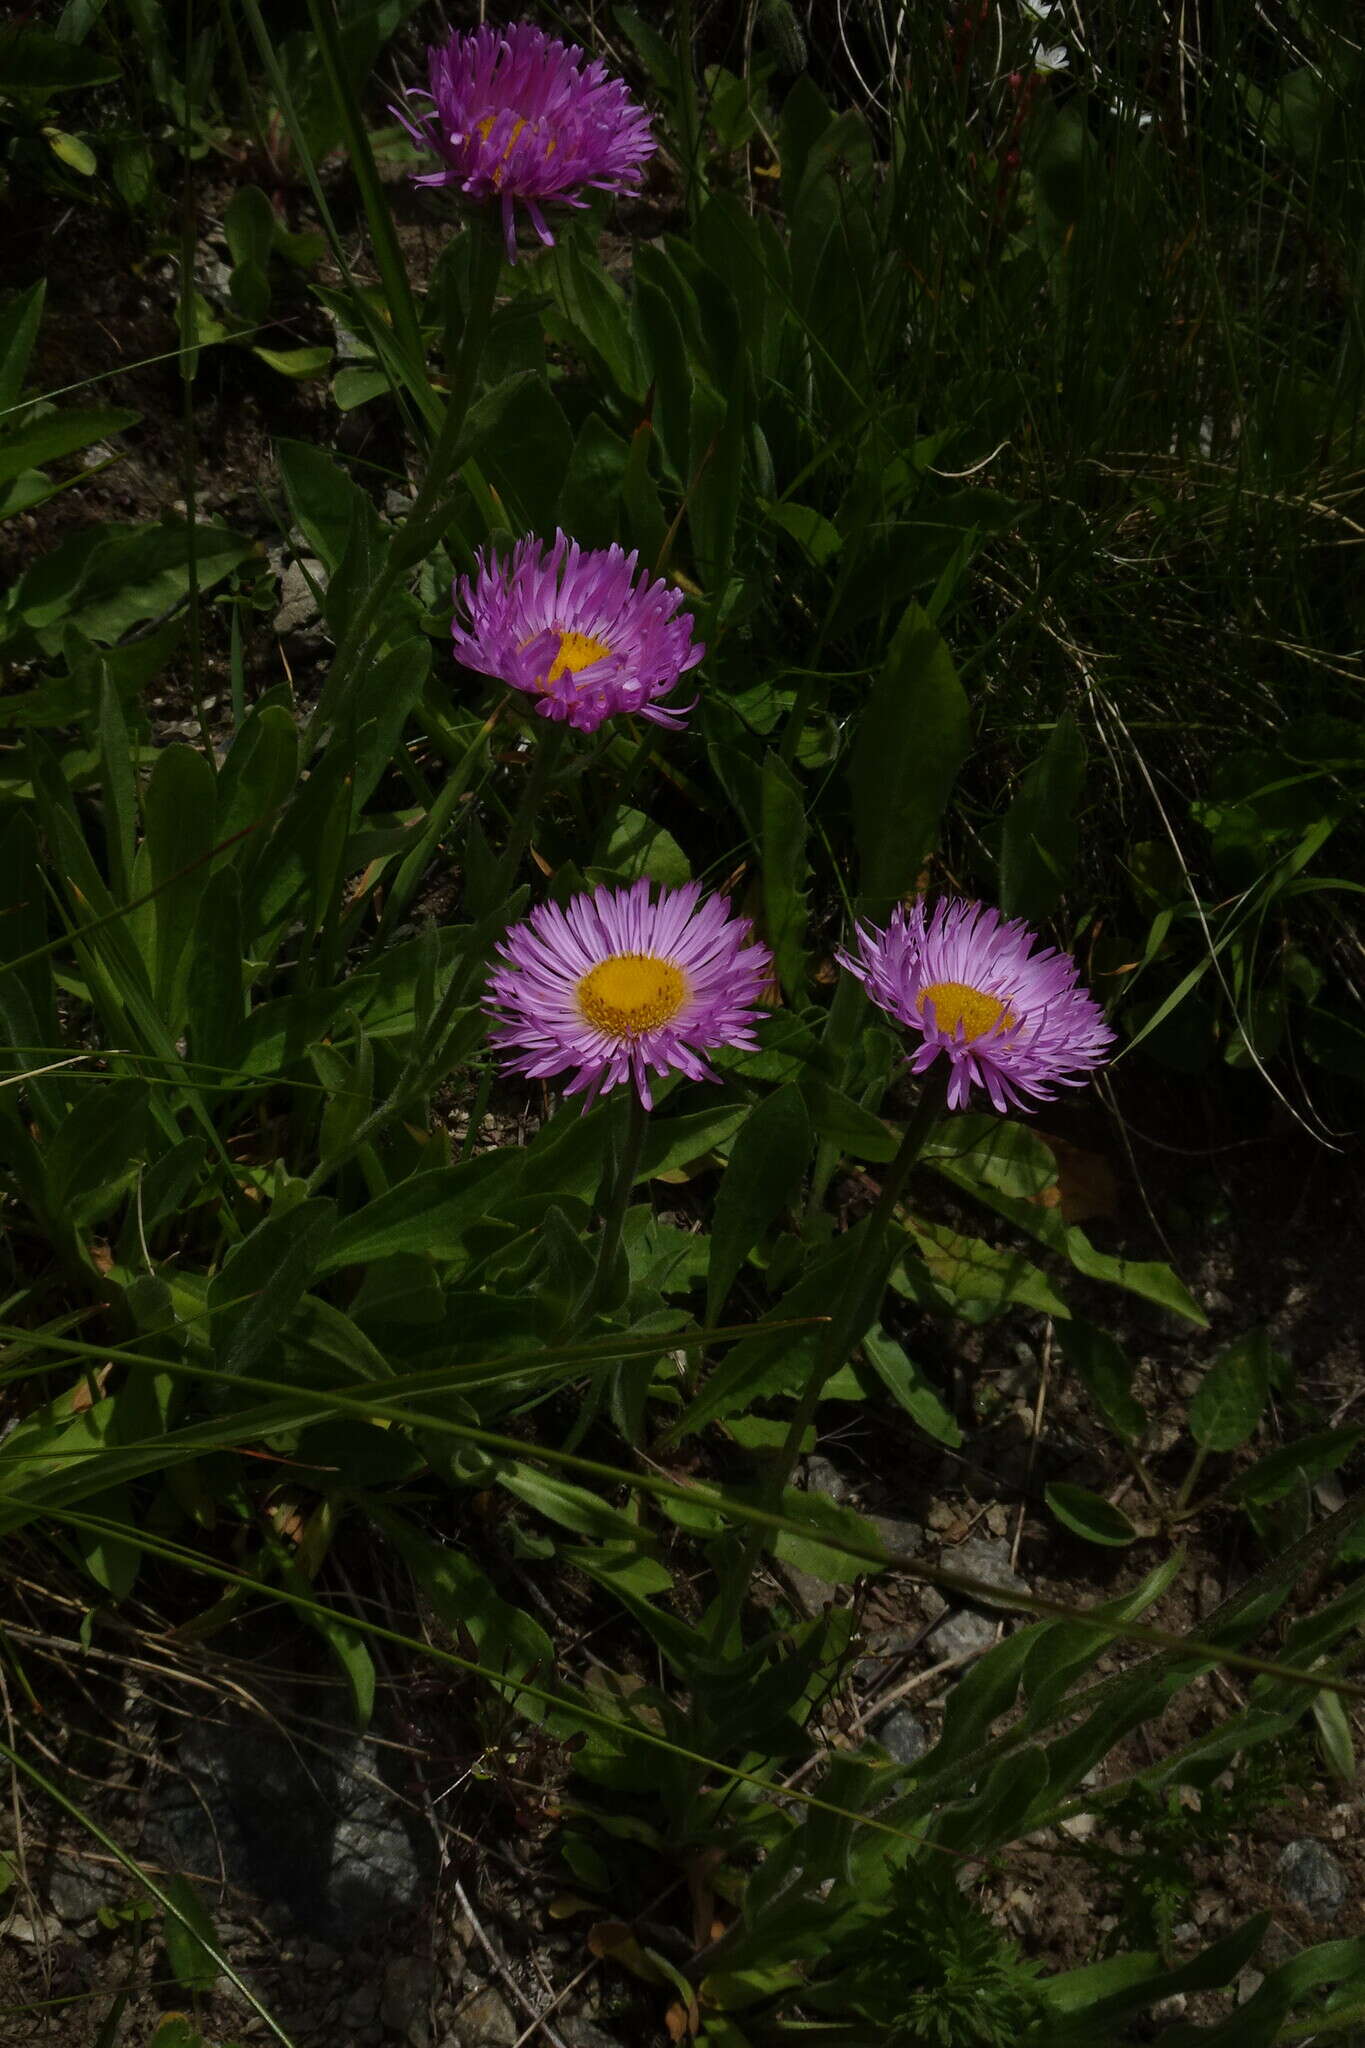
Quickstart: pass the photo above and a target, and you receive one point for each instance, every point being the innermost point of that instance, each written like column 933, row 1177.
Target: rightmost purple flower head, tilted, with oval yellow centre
column 971, row 984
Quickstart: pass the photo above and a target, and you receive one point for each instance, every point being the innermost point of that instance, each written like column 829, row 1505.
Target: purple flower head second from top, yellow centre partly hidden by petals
column 578, row 632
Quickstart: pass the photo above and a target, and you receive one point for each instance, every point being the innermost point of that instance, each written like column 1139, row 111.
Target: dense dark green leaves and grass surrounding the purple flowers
column 1006, row 447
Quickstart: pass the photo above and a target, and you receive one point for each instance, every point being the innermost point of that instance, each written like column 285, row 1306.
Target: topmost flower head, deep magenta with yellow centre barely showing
column 519, row 116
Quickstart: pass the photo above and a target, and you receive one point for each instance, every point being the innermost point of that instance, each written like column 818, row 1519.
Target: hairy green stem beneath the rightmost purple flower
column 846, row 1324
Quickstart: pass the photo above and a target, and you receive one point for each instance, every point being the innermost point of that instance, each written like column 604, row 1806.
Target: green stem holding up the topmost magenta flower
column 429, row 515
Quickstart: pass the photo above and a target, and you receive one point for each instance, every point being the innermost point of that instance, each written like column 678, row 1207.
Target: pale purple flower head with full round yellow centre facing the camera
column 617, row 984
